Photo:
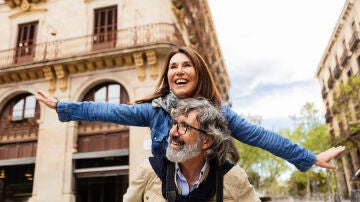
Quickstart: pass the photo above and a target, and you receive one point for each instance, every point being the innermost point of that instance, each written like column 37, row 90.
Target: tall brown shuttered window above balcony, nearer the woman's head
column 105, row 27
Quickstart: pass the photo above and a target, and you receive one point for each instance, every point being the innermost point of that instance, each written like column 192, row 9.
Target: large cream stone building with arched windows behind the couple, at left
column 102, row 50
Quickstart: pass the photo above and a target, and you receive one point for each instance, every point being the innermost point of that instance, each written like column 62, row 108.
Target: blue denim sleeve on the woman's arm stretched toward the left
column 134, row 115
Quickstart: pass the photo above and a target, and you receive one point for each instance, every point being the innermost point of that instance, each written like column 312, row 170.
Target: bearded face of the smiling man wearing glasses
column 184, row 146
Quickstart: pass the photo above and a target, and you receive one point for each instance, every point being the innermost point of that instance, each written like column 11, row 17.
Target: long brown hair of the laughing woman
column 206, row 86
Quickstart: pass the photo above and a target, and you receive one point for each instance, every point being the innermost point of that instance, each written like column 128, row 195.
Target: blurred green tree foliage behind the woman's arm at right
column 265, row 170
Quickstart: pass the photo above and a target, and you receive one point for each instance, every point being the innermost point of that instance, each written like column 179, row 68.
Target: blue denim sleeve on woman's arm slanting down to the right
column 276, row 144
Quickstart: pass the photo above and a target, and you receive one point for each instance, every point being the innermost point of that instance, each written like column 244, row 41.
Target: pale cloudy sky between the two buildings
column 271, row 50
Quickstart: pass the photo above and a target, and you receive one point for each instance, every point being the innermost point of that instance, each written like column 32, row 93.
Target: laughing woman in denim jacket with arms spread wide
column 184, row 75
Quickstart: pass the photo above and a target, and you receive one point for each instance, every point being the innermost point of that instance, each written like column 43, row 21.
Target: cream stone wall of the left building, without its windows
column 64, row 66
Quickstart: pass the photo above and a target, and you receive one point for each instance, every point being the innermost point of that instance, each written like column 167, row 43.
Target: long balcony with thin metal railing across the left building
column 90, row 44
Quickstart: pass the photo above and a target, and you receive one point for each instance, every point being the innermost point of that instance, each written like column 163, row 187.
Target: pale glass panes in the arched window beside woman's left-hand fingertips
column 24, row 108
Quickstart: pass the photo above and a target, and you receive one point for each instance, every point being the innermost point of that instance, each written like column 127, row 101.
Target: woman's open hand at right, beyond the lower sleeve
column 323, row 159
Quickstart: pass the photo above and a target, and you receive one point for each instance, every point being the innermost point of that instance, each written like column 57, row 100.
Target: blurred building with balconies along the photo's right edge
column 338, row 70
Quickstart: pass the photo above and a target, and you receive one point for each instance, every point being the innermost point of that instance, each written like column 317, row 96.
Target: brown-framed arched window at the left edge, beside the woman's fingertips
column 19, row 127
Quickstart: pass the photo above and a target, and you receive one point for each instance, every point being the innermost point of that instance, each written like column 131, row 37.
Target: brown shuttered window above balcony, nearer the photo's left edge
column 26, row 40
